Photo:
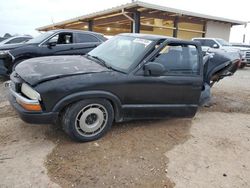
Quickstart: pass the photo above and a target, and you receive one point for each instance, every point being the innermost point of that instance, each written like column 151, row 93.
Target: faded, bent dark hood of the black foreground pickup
column 42, row 69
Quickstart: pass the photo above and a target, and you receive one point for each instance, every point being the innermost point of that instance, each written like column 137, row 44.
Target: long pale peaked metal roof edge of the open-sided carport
column 142, row 5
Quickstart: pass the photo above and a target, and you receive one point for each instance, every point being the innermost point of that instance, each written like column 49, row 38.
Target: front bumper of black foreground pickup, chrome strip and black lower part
column 28, row 116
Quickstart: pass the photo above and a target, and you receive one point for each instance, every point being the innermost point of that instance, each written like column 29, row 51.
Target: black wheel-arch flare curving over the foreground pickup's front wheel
column 115, row 101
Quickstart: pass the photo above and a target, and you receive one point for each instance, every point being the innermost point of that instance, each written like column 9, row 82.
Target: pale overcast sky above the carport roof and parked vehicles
column 23, row 16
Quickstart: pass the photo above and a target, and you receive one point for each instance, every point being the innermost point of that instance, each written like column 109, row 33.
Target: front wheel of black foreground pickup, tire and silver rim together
column 88, row 120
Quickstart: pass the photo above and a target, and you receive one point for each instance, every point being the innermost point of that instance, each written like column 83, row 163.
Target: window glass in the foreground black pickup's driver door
column 179, row 59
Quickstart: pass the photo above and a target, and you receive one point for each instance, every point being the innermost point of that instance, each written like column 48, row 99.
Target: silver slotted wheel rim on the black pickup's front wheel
column 91, row 120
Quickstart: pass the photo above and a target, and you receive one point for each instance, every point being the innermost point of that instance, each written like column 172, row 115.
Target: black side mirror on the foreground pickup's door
column 153, row 69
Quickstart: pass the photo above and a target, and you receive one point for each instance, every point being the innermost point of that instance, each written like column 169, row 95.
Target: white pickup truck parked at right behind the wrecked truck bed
column 218, row 43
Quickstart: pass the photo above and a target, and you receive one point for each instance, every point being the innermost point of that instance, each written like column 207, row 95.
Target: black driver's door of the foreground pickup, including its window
column 175, row 91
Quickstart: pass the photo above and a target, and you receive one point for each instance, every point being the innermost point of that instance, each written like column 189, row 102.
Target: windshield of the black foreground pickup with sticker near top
column 121, row 52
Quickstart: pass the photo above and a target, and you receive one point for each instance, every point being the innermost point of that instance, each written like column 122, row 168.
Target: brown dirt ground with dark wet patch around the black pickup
column 210, row 150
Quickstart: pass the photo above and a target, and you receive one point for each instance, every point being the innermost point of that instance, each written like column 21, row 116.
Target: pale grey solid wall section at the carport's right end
column 218, row 30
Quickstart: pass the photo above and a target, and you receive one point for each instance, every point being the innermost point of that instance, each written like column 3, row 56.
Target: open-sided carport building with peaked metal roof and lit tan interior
column 141, row 17
